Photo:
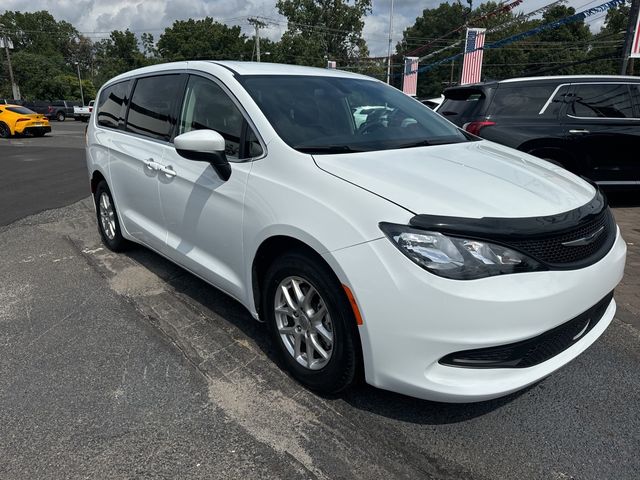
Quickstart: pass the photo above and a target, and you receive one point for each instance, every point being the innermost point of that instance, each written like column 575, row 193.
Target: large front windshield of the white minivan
column 317, row 114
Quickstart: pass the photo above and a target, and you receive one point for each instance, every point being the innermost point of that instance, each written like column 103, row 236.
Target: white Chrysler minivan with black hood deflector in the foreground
column 441, row 265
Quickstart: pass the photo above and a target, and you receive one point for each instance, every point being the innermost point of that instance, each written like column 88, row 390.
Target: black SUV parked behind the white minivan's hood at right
column 588, row 124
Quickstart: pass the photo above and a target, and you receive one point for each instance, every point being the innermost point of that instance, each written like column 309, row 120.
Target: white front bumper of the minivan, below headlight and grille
column 412, row 319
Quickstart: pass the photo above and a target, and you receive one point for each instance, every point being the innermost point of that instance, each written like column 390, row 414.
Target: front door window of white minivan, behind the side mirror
column 207, row 106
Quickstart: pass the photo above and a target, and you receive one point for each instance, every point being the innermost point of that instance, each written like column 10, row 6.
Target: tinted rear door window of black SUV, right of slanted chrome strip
column 602, row 101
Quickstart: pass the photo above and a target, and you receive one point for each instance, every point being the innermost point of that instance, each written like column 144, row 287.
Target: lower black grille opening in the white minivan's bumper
column 534, row 350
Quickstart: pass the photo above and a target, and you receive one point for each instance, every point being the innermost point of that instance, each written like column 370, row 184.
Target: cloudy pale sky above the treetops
column 96, row 18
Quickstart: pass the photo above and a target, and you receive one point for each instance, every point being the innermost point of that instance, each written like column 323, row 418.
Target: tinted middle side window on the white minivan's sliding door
column 153, row 106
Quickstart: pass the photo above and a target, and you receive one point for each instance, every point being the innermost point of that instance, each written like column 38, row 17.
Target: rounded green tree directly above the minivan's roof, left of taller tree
column 202, row 39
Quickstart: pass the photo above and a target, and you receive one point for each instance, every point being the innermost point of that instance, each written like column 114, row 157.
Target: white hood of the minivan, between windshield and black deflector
column 473, row 179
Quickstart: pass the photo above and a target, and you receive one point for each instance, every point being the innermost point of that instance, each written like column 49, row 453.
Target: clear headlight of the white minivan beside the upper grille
column 455, row 257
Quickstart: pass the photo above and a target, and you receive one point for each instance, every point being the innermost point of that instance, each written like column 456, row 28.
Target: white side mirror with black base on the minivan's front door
column 204, row 146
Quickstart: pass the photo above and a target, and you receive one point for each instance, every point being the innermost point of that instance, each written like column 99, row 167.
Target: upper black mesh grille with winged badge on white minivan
column 551, row 251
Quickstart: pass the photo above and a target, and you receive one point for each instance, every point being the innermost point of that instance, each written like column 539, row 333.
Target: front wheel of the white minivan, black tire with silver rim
column 311, row 323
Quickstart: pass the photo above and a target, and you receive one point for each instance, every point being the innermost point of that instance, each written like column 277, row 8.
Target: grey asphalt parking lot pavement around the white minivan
column 118, row 366
